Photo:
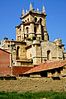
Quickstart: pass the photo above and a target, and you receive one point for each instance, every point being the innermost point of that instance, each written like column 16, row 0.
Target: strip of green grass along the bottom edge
column 36, row 95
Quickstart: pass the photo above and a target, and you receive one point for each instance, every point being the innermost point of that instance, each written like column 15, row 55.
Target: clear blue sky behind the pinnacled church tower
column 10, row 12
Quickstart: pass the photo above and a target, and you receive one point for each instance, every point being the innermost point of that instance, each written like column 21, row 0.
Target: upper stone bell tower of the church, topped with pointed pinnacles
column 33, row 25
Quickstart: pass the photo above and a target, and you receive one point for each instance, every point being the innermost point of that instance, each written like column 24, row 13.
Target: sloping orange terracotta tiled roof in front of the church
column 47, row 66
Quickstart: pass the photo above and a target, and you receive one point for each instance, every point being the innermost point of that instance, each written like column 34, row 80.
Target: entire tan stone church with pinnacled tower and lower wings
column 32, row 45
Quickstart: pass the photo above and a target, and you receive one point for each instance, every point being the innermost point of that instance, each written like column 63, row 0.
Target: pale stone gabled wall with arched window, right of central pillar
column 55, row 52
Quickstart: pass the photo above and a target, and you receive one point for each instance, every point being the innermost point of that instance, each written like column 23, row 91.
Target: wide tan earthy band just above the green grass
column 33, row 85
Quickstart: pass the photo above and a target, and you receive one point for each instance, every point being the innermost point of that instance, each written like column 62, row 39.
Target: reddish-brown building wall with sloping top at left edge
column 4, row 63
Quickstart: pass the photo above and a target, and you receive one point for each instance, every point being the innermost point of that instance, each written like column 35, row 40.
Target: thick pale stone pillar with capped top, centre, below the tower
column 36, row 52
